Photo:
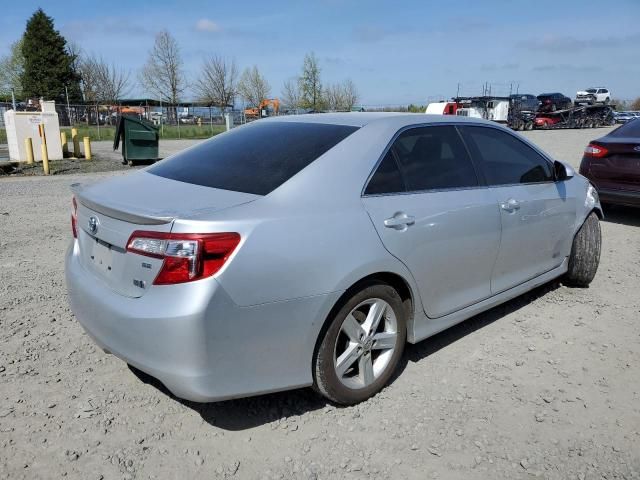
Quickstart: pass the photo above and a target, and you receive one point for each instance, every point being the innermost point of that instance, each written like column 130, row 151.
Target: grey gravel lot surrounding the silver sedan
column 545, row 386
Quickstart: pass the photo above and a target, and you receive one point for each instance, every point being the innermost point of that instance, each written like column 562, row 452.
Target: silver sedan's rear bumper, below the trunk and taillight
column 196, row 340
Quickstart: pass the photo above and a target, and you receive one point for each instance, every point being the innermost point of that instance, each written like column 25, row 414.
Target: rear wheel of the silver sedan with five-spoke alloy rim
column 338, row 381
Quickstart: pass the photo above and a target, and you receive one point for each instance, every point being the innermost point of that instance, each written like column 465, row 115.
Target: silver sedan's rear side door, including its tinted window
column 432, row 212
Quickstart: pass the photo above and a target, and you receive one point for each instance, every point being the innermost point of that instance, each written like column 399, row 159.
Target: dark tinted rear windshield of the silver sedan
column 254, row 159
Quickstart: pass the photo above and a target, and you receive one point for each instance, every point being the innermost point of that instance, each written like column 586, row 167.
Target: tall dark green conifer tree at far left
column 48, row 66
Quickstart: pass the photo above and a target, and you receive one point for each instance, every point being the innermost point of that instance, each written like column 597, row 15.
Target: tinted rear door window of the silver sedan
column 434, row 158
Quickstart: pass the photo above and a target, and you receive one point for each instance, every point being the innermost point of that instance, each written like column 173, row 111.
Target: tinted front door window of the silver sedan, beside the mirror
column 505, row 159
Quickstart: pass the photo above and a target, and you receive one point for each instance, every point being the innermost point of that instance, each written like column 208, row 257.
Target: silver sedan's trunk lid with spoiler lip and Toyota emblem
column 109, row 212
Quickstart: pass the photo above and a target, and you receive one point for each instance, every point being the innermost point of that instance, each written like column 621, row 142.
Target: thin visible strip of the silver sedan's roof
column 360, row 119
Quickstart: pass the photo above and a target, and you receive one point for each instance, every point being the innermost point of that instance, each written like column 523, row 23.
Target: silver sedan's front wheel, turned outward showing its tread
column 585, row 253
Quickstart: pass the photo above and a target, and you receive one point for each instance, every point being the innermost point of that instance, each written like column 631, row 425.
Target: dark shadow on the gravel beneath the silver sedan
column 246, row 413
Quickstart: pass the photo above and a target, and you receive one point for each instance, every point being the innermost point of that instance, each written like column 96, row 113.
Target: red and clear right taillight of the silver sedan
column 187, row 256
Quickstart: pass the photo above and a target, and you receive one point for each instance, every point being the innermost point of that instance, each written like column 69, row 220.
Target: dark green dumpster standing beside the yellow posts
column 139, row 139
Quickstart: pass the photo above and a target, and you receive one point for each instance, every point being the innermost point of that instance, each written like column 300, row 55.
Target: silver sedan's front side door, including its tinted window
column 537, row 213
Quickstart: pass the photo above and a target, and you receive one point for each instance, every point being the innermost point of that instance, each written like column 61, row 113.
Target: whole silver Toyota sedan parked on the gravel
column 307, row 250
